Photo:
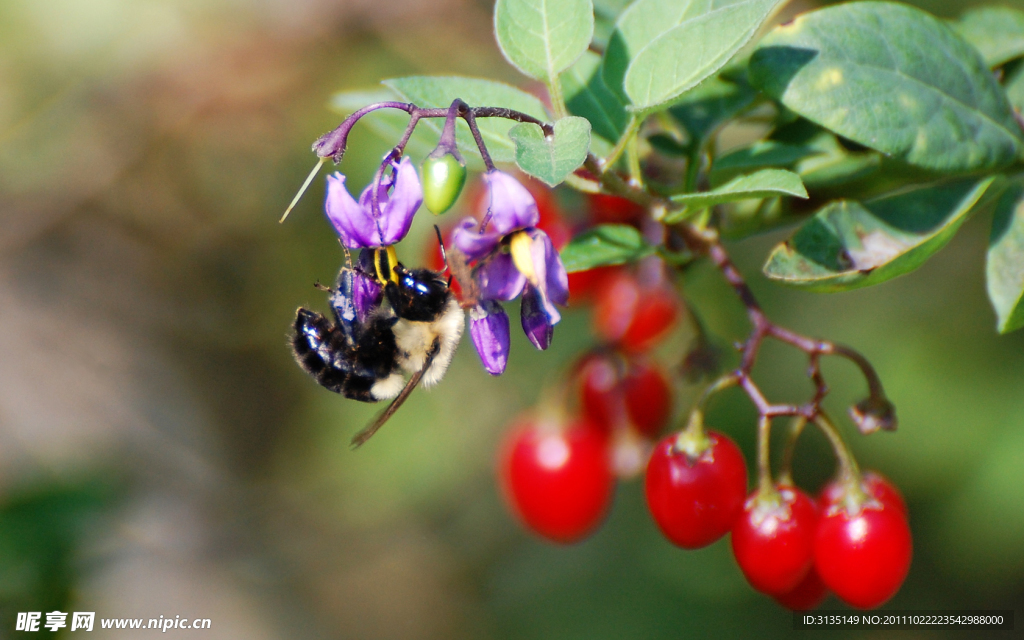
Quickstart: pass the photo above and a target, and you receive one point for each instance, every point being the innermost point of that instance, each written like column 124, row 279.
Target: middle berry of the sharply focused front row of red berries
column 774, row 540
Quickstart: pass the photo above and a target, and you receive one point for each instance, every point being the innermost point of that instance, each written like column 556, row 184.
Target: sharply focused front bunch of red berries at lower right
column 855, row 540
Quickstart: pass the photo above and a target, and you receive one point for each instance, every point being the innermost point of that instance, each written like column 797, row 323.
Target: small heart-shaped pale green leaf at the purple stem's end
column 551, row 159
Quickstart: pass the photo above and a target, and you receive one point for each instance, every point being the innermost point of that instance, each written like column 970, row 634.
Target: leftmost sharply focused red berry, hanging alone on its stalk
column 695, row 501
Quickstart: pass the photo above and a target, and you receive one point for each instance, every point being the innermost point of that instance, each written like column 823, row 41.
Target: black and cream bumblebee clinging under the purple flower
column 365, row 355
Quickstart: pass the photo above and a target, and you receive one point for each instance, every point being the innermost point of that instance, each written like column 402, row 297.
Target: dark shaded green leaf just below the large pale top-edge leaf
column 706, row 108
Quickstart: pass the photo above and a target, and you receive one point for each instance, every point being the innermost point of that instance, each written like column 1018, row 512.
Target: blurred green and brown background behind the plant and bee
column 162, row 455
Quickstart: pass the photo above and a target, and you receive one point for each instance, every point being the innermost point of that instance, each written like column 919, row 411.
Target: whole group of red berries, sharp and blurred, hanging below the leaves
column 559, row 474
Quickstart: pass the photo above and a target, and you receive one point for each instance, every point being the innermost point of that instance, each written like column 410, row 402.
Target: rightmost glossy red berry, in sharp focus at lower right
column 864, row 558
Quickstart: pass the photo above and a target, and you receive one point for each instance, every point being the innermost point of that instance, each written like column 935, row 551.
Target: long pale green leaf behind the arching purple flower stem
column 439, row 92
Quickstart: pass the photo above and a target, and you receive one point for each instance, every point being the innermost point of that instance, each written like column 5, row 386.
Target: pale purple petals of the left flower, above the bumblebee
column 356, row 223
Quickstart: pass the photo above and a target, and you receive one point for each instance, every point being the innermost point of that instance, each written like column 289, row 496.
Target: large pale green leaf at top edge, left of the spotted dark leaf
column 704, row 35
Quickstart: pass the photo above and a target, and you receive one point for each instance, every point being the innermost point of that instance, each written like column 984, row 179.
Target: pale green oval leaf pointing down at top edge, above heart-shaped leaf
column 543, row 38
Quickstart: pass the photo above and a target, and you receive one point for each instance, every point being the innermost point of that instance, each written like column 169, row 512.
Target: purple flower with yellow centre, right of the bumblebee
column 530, row 267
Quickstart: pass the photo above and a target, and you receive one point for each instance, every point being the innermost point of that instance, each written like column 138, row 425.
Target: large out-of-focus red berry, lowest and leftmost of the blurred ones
column 559, row 482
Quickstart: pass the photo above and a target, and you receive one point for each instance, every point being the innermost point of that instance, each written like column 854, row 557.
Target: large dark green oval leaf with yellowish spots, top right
column 894, row 79
